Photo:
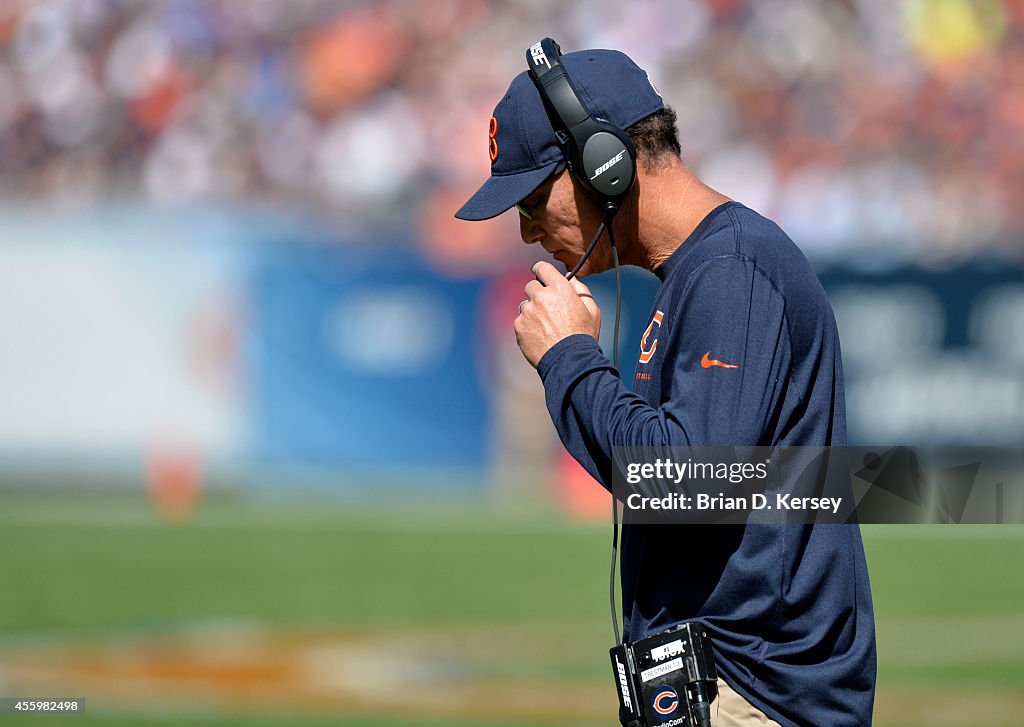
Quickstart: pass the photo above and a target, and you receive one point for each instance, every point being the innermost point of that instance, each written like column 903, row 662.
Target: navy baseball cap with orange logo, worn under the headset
column 523, row 145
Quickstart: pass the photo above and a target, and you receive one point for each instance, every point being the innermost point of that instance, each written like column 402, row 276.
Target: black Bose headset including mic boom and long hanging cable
column 603, row 158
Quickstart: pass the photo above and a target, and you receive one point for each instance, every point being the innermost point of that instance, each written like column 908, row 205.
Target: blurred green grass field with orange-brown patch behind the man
column 516, row 605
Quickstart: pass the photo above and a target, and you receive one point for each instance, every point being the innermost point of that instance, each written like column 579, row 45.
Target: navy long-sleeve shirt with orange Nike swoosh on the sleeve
column 743, row 351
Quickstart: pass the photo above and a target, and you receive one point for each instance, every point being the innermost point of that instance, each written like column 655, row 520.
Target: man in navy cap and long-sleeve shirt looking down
column 742, row 350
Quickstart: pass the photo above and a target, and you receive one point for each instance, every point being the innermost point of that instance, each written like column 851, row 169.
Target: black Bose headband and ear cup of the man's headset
column 600, row 154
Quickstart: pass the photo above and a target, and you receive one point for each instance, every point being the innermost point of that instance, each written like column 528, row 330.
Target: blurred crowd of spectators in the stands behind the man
column 862, row 126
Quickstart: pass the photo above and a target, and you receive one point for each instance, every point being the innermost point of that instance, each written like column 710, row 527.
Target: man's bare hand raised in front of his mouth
column 556, row 309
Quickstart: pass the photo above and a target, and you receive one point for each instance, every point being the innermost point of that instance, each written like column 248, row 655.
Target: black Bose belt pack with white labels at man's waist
column 667, row 680
